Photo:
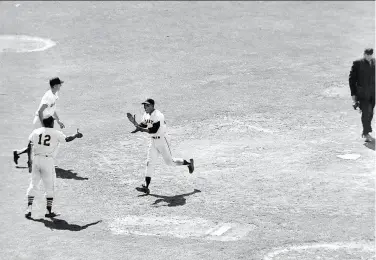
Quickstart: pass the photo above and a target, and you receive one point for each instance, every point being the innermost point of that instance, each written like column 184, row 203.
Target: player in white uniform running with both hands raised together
column 153, row 123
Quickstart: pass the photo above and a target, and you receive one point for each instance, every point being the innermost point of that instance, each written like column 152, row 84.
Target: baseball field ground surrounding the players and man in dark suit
column 256, row 92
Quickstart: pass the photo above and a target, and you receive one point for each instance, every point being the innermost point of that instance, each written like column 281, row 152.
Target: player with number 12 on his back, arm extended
column 45, row 141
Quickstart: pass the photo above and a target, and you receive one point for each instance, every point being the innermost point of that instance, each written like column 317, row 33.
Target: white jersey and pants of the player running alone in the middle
column 158, row 143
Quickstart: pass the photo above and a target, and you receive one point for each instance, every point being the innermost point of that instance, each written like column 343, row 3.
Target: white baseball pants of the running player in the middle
column 156, row 147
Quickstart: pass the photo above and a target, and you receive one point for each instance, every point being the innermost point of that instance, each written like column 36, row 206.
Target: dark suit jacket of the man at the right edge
column 362, row 79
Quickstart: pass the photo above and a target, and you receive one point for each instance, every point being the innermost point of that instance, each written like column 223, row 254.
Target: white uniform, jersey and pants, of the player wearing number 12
column 45, row 146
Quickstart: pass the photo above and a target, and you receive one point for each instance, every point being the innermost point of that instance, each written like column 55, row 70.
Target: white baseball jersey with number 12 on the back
column 46, row 141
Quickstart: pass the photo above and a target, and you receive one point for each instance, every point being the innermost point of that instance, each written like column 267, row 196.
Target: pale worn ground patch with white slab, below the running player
column 181, row 227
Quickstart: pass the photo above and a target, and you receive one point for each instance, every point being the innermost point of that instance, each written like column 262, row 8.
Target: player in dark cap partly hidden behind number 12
column 47, row 108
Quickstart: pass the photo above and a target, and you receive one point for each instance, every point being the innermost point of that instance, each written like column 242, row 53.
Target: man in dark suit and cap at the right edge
column 362, row 87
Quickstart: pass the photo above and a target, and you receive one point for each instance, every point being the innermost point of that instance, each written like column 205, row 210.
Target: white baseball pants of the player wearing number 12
column 43, row 169
